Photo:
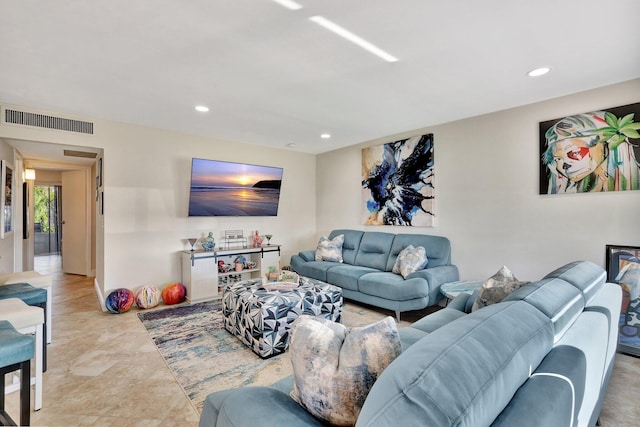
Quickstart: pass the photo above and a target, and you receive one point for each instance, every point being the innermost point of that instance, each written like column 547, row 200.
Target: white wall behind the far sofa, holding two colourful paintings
column 487, row 200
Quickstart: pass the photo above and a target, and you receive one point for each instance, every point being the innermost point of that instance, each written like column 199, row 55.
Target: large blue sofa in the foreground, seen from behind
column 541, row 357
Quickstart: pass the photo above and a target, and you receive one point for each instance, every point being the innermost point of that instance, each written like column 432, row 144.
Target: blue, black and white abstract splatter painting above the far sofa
column 397, row 183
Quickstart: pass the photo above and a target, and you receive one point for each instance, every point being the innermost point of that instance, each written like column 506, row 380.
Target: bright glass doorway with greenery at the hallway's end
column 46, row 221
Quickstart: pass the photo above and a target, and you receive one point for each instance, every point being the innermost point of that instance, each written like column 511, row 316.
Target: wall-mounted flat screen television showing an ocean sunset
column 233, row 189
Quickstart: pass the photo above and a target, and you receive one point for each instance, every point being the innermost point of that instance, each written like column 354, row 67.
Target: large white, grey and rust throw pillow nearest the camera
column 334, row 367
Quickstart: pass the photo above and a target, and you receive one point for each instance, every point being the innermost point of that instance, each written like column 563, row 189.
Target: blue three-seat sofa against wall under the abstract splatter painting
column 366, row 273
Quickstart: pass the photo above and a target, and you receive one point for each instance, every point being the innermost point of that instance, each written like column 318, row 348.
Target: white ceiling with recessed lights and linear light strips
column 272, row 77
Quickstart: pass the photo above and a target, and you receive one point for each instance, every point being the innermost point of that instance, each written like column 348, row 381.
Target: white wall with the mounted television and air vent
column 146, row 176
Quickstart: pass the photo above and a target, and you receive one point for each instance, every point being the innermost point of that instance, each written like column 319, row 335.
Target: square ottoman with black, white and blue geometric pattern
column 262, row 319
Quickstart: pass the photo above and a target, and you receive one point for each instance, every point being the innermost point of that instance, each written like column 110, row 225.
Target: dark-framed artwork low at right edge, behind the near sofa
column 623, row 268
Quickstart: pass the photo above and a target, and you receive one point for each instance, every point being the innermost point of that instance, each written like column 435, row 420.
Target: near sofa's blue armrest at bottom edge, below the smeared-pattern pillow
column 253, row 406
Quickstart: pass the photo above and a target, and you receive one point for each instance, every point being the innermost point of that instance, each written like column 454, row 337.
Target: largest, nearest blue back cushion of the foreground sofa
column 463, row 373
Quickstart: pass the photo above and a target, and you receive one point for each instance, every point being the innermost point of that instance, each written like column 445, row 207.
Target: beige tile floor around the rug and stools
column 105, row 371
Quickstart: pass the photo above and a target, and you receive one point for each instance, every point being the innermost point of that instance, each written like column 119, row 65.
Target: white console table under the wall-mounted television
column 201, row 277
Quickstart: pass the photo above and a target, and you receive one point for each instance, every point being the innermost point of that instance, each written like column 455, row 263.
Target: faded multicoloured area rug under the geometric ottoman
column 203, row 356
